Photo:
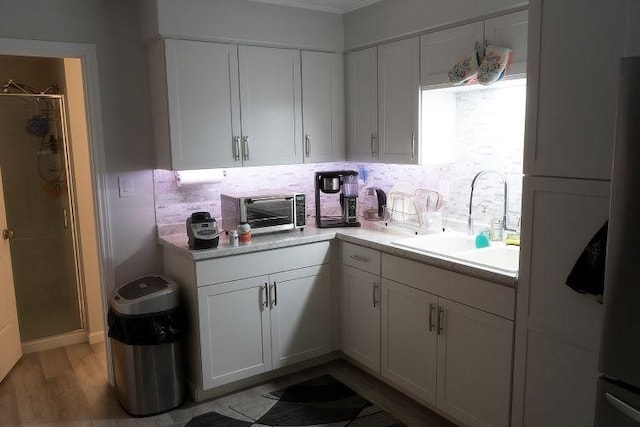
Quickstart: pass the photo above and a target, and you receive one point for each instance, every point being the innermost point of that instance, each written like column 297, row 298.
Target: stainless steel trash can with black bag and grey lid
column 146, row 330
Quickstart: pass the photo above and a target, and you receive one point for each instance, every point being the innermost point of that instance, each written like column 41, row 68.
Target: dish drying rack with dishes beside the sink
column 415, row 212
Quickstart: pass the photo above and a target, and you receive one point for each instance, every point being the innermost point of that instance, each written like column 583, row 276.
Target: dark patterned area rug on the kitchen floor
column 321, row 401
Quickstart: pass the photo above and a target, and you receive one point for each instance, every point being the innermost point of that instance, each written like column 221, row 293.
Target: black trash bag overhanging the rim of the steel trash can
column 146, row 329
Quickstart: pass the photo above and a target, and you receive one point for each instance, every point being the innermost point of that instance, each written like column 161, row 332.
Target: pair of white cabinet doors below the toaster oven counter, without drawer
column 254, row 325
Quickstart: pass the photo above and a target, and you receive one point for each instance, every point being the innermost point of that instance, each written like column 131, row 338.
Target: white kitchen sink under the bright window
column 461, row 247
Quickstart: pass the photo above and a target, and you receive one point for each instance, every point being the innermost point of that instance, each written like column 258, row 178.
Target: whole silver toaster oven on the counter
column 264, row 213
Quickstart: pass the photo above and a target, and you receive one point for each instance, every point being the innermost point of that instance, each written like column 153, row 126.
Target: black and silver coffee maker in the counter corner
column 344, row 184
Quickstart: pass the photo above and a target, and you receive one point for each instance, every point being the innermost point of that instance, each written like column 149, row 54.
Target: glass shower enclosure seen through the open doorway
column 40, row 213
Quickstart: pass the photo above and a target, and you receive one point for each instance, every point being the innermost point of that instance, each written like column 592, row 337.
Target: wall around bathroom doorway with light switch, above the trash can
column 113, row 27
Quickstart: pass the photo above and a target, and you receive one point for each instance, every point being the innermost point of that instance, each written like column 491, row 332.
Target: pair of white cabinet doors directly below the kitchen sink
column 447, row 354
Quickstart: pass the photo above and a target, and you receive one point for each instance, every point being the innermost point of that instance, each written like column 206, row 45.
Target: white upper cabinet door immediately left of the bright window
column 398, row 101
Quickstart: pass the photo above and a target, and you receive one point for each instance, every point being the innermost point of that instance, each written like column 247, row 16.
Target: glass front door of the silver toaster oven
column 270, row 213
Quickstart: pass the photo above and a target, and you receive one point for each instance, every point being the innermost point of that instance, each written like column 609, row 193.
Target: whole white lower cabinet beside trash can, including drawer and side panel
column 255, row 312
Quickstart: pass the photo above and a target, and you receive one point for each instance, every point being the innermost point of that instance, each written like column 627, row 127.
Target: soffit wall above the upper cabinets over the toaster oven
column 248, row 22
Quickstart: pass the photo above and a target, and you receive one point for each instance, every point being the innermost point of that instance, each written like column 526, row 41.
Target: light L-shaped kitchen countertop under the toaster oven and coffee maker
column 372, row 236
